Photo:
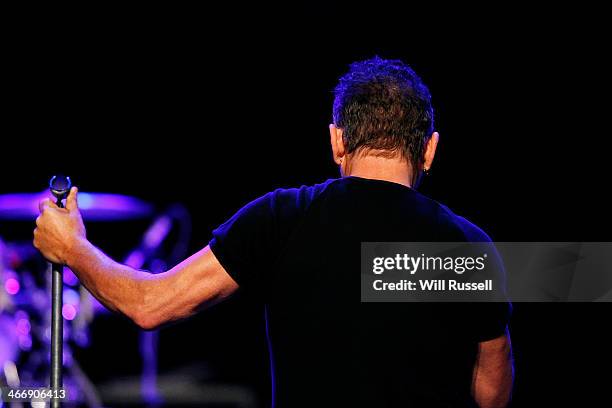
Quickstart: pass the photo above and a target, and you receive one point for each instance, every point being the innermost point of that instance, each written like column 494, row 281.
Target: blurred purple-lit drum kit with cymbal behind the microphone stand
column 26, row 281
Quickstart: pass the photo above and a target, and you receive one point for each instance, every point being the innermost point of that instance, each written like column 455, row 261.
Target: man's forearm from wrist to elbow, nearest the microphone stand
column 119, row 287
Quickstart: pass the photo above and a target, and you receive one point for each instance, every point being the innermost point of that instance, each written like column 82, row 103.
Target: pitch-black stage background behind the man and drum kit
column 168, row 108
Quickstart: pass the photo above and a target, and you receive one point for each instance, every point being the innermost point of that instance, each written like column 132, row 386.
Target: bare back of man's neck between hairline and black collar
column 395, row 170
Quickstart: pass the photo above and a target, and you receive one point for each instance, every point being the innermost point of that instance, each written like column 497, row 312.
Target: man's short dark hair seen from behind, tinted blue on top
column 383, row 104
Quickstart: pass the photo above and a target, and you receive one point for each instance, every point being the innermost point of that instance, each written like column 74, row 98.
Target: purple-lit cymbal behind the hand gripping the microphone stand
column 93, row 206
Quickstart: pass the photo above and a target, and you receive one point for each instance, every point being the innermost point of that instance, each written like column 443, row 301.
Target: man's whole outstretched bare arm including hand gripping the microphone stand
column 149, row 300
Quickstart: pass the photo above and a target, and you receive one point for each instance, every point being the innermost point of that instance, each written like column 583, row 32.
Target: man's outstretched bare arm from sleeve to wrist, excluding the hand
column 152, row 300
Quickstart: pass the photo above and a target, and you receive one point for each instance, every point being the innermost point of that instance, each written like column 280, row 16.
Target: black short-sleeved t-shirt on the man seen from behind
column 299, row 251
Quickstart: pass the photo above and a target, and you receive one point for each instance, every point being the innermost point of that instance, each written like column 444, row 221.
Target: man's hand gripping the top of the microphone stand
column 58, row 230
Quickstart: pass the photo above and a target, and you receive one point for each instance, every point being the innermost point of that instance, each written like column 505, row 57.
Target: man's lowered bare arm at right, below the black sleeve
column 493, row 373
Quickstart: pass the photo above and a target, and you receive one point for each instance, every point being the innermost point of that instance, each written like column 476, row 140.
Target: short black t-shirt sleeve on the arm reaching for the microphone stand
column 248, row 244
